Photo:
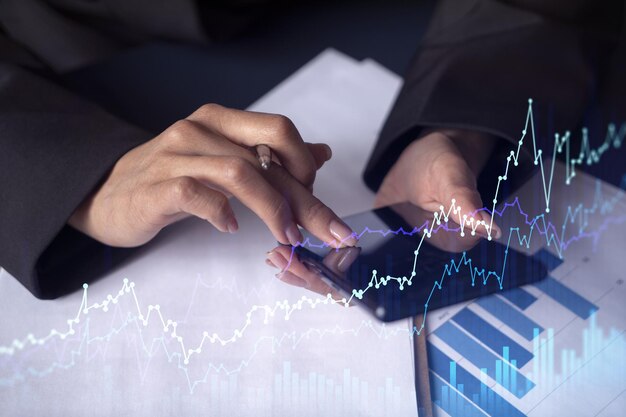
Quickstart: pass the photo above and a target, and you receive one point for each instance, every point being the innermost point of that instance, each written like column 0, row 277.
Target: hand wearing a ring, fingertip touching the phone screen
column 194, row 165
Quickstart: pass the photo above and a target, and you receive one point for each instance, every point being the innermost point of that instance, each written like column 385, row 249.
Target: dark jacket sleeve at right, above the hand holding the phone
column 481, row 61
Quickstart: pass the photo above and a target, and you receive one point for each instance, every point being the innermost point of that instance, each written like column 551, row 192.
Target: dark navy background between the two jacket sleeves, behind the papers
column 155, row 84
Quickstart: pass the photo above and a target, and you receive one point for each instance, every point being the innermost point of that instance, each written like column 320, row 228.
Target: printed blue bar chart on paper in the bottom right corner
column 491, row 357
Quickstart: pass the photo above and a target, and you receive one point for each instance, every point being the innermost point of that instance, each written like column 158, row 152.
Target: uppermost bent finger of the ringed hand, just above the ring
column 253, row 128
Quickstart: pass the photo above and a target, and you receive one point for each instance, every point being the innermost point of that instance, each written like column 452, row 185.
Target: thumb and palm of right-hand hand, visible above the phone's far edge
column 438, row 168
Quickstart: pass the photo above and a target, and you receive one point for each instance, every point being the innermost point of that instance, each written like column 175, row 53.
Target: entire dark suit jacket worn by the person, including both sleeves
column 477, row 66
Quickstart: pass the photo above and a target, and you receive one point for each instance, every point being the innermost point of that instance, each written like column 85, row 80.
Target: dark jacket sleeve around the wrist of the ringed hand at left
column 55, row 148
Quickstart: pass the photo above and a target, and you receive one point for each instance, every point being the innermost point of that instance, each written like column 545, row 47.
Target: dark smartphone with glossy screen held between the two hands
column 391, row 279
